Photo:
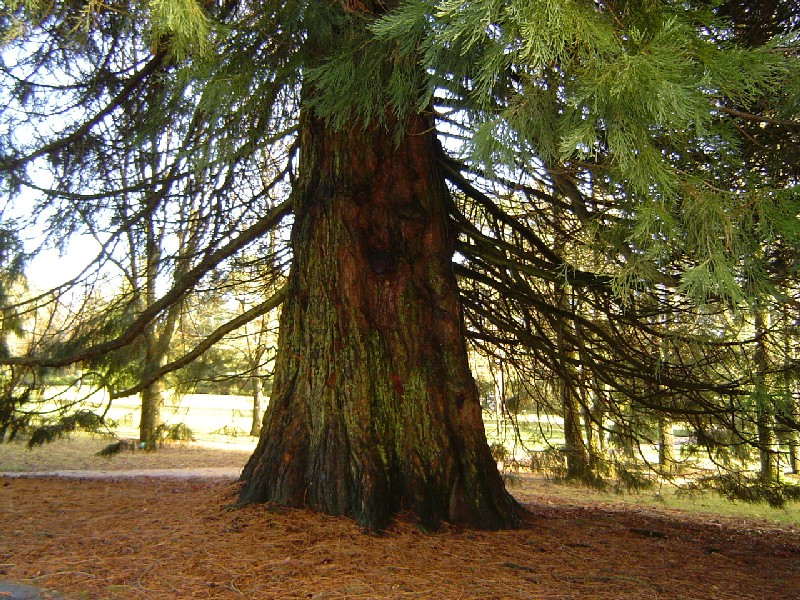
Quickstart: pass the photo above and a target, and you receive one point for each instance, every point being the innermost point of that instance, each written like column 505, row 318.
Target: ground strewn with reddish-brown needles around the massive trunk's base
column 179, row 537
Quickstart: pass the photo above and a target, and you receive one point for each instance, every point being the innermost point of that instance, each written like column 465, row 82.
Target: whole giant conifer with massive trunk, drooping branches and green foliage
column 601, row 193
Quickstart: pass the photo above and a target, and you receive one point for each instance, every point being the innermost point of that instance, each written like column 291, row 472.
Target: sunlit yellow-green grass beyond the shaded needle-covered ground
column 212, row 417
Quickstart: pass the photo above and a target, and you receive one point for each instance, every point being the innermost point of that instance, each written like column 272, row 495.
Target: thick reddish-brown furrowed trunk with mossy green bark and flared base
column 374, row 409
